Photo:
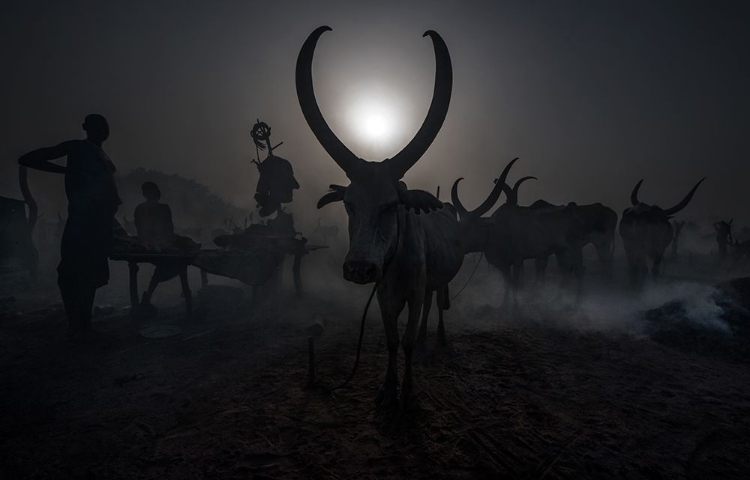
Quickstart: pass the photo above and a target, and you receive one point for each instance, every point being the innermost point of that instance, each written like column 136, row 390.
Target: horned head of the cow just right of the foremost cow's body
column 473, row 226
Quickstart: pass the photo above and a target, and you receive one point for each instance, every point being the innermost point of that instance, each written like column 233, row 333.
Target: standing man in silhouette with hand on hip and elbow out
column 92, row 203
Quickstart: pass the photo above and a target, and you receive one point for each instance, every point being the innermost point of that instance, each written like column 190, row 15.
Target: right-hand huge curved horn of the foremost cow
column 441, row 99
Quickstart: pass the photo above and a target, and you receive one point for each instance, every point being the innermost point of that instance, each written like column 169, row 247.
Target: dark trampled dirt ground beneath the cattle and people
column 525, row 395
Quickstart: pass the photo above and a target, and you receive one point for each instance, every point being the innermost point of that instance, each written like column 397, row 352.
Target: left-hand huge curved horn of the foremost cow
column 306, row 95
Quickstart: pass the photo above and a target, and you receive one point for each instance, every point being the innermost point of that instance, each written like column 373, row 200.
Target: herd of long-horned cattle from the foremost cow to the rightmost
column 411, row 245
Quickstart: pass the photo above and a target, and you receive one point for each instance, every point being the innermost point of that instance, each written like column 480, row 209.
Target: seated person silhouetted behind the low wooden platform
column 153, row 223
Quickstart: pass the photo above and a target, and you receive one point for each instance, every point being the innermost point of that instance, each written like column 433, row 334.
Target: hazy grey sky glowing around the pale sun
column 591, row 95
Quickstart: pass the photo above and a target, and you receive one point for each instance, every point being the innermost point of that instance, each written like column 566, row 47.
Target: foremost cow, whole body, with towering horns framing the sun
column 405, row 241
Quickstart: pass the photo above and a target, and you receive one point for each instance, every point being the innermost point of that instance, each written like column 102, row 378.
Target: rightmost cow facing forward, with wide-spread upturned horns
column 646, row 233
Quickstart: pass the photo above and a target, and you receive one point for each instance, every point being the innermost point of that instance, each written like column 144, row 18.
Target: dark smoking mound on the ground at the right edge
column 720, row 328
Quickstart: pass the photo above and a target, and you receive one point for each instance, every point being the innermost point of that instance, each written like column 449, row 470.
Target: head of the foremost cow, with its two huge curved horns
column 373, row 197
